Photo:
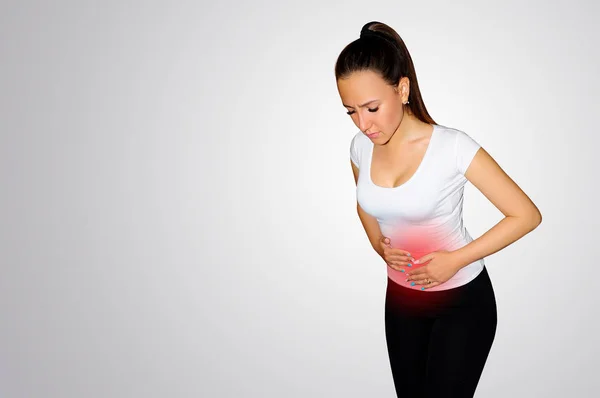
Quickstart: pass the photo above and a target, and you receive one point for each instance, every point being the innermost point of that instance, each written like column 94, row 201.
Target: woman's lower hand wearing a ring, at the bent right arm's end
column 442, row 266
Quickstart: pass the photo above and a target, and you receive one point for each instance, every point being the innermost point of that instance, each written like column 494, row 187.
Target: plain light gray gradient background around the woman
column 178, row 209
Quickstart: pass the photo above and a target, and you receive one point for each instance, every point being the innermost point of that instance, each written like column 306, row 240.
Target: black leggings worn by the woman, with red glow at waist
column 438, row 342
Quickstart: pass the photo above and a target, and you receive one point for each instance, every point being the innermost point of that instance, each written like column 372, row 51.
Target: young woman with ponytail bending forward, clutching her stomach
column 440, row 309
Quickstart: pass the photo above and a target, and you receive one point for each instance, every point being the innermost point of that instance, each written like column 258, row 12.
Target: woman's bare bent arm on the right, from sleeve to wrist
column 521, row 214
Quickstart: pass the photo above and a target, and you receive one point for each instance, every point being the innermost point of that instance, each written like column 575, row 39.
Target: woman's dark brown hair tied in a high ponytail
column 380, row 49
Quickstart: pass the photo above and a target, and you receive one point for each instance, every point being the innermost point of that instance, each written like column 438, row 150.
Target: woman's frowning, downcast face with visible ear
column 374, row 106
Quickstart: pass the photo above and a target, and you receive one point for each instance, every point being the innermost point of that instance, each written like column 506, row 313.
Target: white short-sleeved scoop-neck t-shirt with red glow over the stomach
column 424, row 214
